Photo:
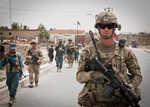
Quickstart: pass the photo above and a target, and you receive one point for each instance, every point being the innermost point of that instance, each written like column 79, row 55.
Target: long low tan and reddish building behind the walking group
column 55, row 35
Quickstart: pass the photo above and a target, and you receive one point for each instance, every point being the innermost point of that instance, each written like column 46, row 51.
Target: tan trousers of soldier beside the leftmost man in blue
column 33, row 73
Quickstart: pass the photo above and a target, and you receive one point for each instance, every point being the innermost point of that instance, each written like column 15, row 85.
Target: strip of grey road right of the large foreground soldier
column 144, row 58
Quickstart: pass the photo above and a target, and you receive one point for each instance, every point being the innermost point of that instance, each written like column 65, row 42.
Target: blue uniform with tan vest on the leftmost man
column 13, row 65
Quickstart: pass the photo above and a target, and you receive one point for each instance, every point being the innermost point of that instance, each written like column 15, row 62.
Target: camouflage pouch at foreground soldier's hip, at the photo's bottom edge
column 86, row 98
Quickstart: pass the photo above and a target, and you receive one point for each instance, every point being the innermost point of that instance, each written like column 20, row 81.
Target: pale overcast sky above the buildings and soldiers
column 133, row 15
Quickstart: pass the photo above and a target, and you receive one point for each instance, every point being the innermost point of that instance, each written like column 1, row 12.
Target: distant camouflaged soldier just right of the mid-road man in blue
column 70, row 48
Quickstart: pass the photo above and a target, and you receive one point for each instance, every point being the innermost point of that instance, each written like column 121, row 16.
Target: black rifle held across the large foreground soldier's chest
column 114, row 83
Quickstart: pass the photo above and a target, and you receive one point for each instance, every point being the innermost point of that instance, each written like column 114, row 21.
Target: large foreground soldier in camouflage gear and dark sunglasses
column 124, row 65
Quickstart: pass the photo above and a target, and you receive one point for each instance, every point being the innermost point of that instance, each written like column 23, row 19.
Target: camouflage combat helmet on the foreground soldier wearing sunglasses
column 107, row 17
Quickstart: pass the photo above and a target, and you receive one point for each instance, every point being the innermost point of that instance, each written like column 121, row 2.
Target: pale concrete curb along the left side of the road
column 4, row 89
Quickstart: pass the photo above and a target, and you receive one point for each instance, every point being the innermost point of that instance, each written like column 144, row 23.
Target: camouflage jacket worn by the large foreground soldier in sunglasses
column 123, row 59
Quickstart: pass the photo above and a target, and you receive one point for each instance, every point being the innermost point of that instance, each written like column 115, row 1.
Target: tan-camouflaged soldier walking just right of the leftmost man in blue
column 33, row 60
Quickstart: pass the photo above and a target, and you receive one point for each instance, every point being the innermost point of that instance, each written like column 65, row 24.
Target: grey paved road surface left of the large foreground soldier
column 55, row 90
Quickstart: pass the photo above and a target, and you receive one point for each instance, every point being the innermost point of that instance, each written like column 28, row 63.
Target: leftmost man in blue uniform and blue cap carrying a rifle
column 13, row 62
